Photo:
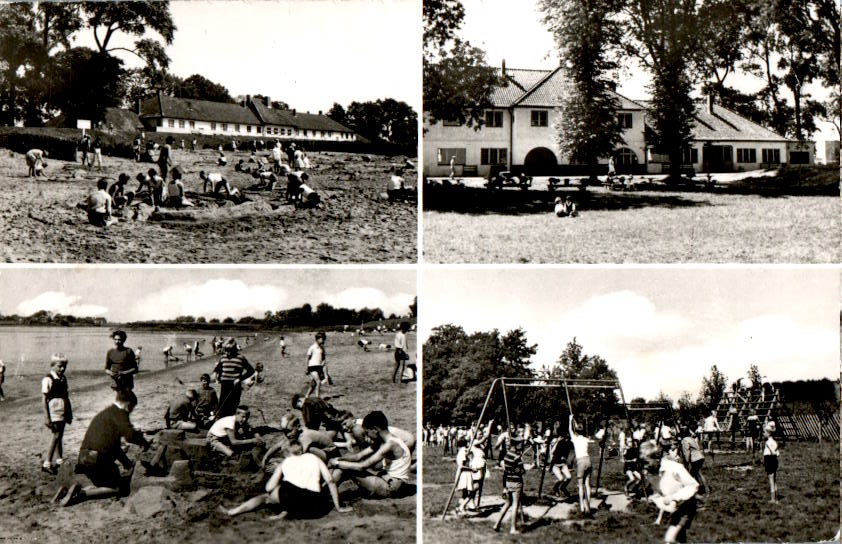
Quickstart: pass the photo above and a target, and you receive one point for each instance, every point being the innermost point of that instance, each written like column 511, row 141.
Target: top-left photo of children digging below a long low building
column 210, row 132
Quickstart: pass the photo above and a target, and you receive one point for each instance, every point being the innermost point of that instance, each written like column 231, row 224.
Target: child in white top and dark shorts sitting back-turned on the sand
column 295, row 488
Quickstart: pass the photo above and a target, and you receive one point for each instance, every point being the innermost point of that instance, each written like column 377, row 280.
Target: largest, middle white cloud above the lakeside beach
column 219, row 298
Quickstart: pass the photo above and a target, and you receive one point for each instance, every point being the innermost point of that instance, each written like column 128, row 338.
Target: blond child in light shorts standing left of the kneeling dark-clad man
column 57, row 410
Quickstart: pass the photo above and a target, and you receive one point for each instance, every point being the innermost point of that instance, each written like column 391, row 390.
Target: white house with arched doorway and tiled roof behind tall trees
column 519, row 134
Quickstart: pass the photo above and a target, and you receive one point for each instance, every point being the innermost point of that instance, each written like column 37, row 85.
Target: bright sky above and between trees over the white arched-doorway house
column 495, row 27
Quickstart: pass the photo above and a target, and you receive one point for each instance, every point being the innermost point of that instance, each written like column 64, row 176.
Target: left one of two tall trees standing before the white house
column 587, row 35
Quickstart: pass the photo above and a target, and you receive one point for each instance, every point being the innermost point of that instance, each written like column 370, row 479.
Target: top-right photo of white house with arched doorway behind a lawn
column 568, row 131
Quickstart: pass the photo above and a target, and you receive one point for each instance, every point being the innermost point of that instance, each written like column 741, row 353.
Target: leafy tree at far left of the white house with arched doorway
column 457, row 81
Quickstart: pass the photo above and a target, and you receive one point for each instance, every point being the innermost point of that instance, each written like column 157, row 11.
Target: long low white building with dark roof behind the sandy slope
column 250, row 118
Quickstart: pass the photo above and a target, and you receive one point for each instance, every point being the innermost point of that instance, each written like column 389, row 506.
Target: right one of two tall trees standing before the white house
column 662, row 35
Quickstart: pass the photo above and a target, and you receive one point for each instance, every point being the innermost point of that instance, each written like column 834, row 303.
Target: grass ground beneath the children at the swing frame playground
column 737, row 509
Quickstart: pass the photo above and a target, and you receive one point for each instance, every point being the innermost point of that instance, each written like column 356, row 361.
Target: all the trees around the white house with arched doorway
column 683, row 45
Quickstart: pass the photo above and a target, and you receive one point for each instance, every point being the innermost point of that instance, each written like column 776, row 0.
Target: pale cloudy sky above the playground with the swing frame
column 661, row 329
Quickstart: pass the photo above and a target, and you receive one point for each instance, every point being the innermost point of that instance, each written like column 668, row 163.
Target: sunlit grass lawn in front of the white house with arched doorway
column 638, row 227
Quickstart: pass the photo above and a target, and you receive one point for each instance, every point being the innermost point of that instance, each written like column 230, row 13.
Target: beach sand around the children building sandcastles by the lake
column 363, row 383
